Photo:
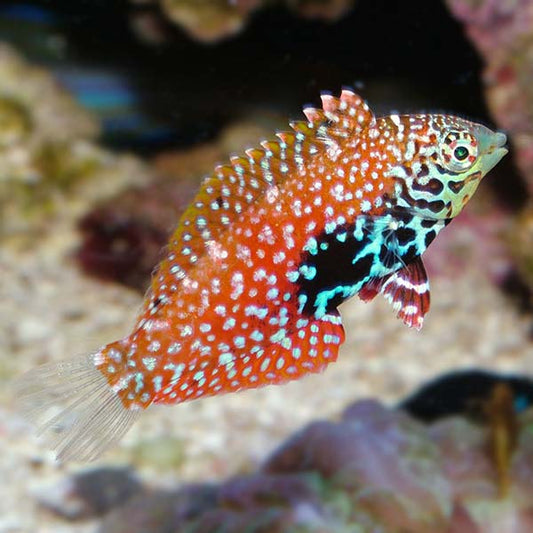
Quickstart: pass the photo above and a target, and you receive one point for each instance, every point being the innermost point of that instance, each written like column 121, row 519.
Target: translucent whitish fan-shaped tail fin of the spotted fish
column 74, row 408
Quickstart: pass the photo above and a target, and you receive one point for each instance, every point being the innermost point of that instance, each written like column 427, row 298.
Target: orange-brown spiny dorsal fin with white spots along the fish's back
column 231, row 189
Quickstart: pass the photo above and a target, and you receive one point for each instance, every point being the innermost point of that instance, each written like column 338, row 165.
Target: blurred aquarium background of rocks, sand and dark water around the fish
column 111, row 113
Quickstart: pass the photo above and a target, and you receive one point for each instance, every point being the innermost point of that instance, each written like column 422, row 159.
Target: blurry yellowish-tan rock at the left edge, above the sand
column 47, row 150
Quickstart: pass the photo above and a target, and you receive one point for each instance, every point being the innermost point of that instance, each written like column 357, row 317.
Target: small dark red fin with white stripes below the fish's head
column 407, row 290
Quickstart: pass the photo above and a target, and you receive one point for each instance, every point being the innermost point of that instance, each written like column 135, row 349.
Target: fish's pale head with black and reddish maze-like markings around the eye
column 442, row 160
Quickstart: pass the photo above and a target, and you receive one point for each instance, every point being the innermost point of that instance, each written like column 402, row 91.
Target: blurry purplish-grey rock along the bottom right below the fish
column 375, row 469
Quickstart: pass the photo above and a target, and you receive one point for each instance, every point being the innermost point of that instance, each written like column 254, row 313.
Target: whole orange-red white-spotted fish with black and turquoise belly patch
column 274, row 241
